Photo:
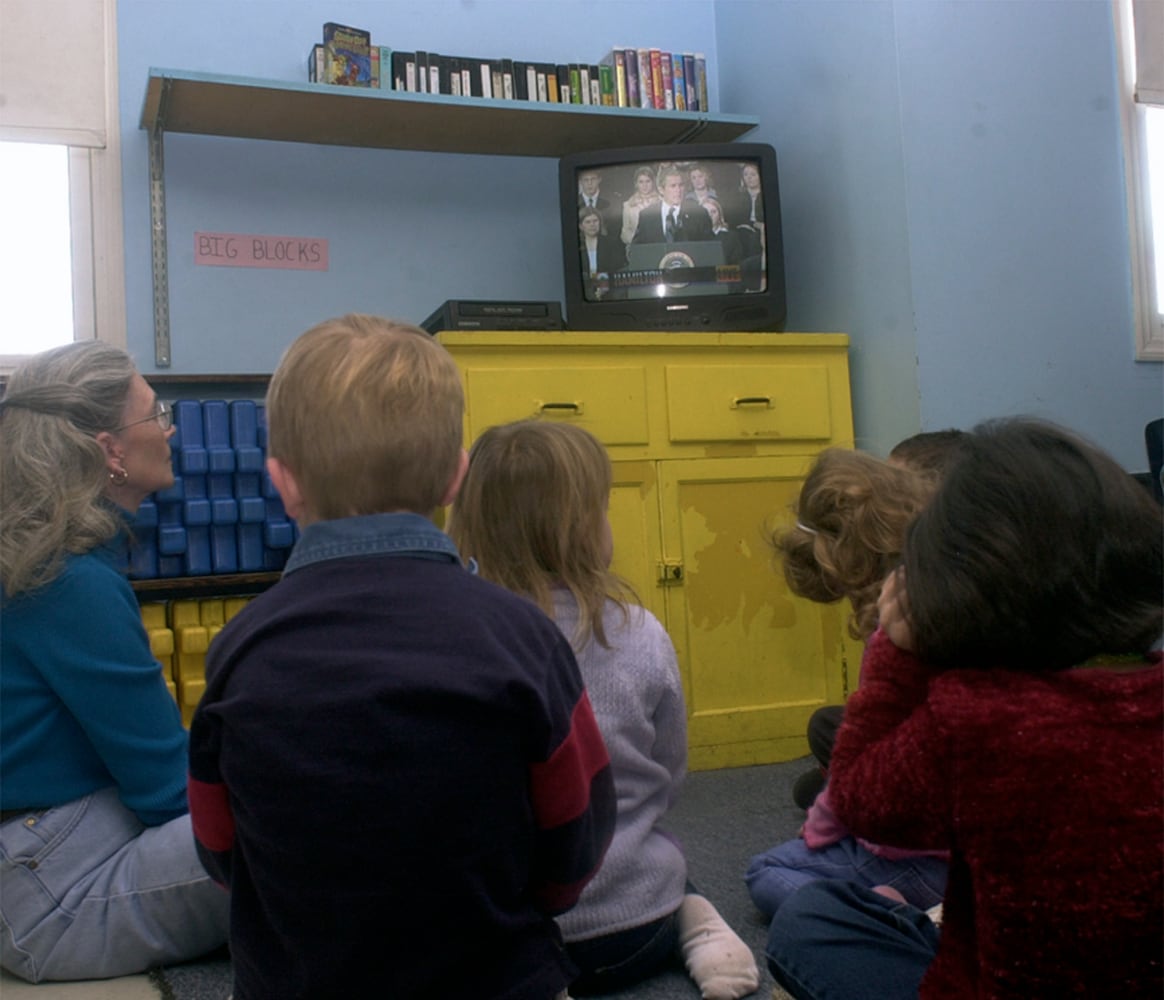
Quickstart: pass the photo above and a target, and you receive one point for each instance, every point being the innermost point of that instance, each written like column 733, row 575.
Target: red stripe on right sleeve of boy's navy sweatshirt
column 562, row 785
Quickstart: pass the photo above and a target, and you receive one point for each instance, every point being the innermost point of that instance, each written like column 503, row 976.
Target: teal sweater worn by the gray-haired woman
column 83, row 705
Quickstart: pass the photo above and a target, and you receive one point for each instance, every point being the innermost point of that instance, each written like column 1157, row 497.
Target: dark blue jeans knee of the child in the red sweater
column 840, row 941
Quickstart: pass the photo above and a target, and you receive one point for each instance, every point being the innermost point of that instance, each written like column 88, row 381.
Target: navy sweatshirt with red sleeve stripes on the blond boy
column 398, row 772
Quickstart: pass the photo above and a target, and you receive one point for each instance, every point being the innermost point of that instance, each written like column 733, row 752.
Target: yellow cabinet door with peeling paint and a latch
column 756, row 661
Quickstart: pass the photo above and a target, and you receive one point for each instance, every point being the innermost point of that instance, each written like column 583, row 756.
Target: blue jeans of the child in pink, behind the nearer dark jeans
column 776, row 875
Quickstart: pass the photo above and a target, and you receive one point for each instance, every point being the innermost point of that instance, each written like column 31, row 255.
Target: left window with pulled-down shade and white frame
column 62, row 268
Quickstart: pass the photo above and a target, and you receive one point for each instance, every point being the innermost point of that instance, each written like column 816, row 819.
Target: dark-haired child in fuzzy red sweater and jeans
column 1012, row 713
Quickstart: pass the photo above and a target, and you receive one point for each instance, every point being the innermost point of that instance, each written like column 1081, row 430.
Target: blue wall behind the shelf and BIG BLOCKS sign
column 407, row 231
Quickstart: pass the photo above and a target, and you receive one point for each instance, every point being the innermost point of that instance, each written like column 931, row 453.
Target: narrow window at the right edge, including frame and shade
column 1140, row 49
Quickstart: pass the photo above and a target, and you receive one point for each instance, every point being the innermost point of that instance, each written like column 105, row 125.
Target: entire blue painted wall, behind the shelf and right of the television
column 952, row 182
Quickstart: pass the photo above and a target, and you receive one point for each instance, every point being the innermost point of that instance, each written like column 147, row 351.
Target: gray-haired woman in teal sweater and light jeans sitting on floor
column 98, row 870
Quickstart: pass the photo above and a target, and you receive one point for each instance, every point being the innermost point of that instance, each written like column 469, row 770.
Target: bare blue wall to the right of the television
column 953, row 185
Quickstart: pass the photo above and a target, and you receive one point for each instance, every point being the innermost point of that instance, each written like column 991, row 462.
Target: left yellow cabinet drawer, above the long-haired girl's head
column 612, row 402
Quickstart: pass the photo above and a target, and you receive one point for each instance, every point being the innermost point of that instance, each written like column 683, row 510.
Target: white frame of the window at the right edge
column 1148, row 323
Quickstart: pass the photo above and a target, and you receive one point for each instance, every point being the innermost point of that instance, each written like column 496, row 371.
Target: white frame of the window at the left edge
column 96, row 219
